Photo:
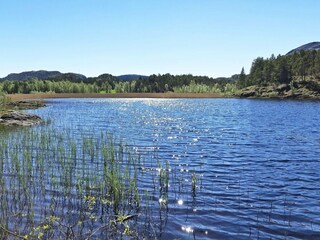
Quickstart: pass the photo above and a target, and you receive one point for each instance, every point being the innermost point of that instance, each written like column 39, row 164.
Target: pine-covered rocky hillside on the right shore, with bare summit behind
column 294, row 75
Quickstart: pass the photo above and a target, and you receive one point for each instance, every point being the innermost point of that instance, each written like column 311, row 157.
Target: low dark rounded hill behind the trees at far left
column 42, row 75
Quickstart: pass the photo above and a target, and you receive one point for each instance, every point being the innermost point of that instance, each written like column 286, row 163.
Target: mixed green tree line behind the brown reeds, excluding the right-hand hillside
column 107, row 83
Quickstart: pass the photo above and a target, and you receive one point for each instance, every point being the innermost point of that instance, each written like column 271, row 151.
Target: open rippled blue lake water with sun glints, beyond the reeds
column 256, row 161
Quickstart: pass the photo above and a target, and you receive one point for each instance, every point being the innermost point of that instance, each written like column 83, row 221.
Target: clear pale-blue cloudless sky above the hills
column 201, row 37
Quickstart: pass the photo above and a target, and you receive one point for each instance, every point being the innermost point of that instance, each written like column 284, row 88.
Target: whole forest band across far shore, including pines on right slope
column 283, row 69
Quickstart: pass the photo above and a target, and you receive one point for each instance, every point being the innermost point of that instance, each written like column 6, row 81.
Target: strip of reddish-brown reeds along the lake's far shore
column 18, row 97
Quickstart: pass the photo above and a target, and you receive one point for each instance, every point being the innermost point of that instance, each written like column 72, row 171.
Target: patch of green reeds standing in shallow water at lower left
column 58, row 186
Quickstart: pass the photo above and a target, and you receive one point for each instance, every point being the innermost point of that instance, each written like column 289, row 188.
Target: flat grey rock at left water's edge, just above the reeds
column 15, row 118
